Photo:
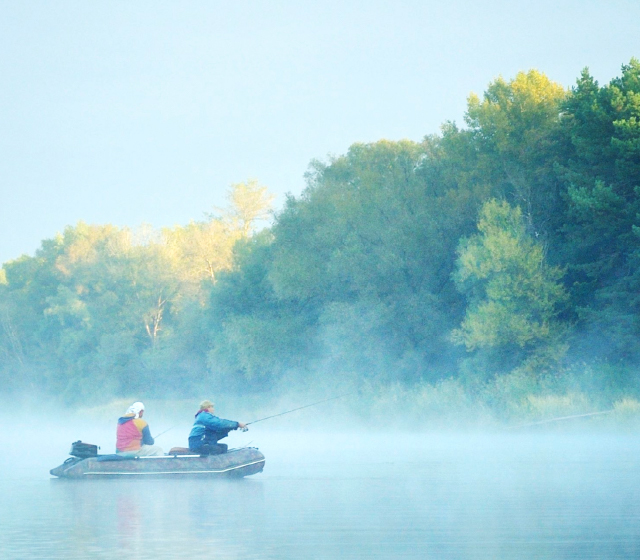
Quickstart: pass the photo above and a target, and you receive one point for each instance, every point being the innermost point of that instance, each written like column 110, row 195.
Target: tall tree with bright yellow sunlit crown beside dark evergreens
column 515, row 126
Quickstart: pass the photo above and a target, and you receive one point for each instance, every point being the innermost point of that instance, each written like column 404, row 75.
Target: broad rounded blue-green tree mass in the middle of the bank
column 374, row 236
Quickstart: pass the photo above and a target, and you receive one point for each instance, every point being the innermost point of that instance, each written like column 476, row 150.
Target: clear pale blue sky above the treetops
column 143, row 112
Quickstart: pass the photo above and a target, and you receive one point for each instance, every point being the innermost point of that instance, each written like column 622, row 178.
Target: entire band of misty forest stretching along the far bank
column 507, row 249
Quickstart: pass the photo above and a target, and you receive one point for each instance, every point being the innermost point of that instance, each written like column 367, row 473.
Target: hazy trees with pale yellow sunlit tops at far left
column 110, row 310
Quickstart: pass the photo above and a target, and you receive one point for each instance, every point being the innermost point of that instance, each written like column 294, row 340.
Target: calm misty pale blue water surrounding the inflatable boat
column 343, row 496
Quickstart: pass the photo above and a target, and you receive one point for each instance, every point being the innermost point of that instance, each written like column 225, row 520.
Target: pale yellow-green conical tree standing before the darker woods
column 514, row 296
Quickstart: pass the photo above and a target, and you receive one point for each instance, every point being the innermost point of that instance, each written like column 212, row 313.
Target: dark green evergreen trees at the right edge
column 601, row 175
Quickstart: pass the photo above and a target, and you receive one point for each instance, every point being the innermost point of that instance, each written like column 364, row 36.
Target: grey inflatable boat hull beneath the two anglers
column 235, row 463
